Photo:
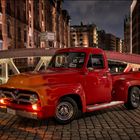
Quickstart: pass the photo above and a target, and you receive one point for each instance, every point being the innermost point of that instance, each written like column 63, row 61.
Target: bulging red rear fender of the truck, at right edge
column 121, row 88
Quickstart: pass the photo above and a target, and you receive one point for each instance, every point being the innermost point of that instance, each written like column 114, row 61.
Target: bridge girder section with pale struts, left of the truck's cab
column 7, row 60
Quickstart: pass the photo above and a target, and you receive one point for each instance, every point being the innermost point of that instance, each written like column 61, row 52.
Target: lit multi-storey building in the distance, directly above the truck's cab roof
column 84, row 35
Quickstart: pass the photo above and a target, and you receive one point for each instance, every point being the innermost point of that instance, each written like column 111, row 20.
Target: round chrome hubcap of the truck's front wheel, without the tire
column 64, row 111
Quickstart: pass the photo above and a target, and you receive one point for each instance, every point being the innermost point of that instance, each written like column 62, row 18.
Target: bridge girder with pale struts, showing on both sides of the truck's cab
column 7, row 58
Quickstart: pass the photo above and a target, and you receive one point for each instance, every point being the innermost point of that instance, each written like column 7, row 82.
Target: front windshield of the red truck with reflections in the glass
column 68, row 60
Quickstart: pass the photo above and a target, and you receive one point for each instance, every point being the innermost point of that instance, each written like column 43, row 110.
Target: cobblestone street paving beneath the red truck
column 114, row 123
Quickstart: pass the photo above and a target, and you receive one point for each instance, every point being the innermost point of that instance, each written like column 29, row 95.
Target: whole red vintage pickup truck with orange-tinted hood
column 76, row 81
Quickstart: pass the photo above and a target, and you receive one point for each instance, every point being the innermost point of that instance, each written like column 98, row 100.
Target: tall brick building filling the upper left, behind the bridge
column 25, row 24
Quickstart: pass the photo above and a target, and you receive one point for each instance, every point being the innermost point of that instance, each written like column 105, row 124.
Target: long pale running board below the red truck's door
column 103, row 105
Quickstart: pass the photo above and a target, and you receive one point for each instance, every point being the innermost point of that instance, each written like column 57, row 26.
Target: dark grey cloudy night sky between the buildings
column 106, row 14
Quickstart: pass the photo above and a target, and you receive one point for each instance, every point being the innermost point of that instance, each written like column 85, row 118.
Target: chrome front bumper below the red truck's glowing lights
column 21, row 113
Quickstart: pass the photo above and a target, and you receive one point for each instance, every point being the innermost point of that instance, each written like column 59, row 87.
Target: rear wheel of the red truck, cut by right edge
column 133, row 98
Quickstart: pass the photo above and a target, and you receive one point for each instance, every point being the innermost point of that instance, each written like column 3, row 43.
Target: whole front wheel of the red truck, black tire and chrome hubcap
column 66, row 110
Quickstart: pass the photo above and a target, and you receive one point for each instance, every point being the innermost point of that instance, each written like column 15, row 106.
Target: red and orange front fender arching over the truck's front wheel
column 51, row 94
